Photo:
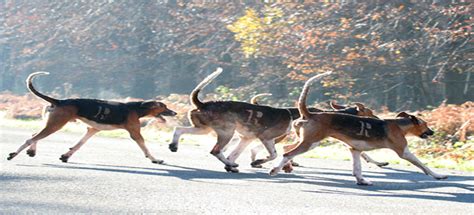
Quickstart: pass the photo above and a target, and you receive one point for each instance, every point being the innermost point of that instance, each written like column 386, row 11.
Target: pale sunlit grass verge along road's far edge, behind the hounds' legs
column 330, row 149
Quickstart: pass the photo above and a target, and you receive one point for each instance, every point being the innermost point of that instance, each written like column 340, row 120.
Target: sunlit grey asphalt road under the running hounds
column 110, row 175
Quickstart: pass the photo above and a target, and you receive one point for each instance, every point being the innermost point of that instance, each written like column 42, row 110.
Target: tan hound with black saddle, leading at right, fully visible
column 359, row 133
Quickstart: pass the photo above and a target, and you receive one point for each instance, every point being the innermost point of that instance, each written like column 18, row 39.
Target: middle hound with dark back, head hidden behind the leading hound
column 226, row 118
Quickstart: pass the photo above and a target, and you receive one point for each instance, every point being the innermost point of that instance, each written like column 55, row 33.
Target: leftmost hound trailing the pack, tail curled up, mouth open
column 98, row 115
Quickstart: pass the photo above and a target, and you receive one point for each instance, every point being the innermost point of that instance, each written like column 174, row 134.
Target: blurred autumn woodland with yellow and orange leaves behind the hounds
column 398, row 54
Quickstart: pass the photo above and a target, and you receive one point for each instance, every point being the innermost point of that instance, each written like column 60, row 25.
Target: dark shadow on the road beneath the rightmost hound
column 395, row 180
